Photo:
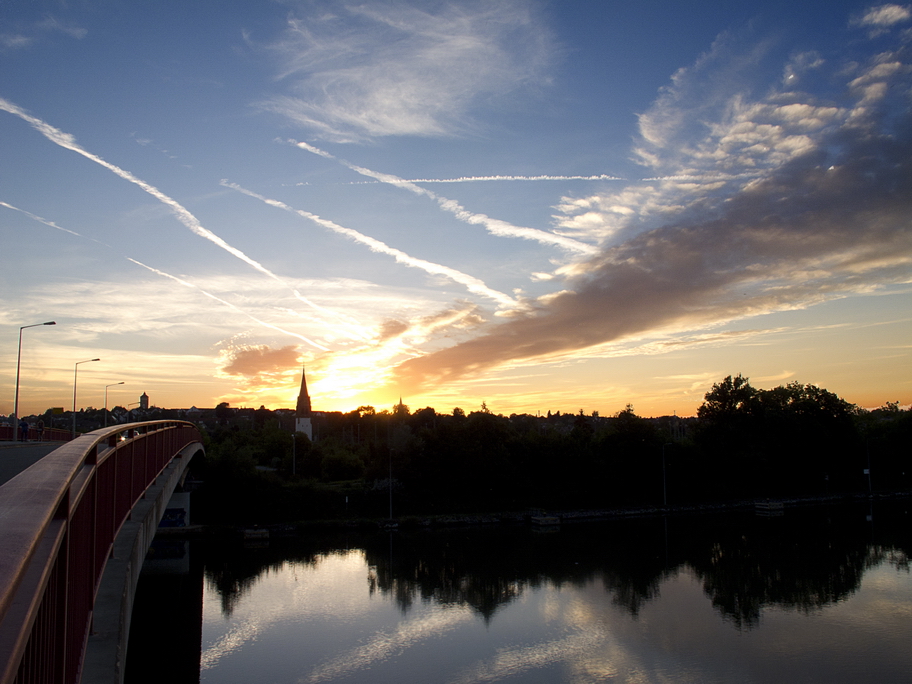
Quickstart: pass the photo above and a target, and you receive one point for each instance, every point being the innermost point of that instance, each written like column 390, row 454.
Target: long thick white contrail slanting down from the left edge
column 68, row 141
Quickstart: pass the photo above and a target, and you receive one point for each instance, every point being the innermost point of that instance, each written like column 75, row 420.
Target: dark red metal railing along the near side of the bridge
column 58, row 521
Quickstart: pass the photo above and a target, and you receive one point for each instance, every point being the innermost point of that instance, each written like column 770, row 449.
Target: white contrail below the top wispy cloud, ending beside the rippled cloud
column 494, row 226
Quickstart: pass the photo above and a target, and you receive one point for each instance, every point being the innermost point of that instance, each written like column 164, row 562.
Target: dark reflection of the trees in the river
column 804, row 560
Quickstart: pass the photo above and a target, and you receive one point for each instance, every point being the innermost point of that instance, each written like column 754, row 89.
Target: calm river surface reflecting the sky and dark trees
column 813, row 596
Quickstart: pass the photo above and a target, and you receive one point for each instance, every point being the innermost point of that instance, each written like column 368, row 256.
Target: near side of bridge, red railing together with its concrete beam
column 74, row 529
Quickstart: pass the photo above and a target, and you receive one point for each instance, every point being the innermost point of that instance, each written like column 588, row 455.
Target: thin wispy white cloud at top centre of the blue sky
column 355, row 72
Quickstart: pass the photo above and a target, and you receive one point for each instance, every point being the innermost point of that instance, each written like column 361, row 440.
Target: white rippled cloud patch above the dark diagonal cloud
column 708, row 136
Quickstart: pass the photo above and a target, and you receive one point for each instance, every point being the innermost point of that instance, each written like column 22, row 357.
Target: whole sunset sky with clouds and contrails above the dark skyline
column 542, row 206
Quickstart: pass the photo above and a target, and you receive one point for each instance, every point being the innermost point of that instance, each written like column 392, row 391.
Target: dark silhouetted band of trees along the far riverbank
column 793, row 440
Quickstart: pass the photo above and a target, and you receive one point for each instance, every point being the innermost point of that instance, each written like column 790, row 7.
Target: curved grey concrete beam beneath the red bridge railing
column 106, row 650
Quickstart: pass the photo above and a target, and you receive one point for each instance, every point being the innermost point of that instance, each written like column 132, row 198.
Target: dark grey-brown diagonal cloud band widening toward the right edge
column 832, row 222
